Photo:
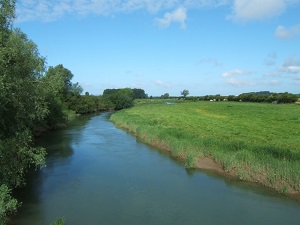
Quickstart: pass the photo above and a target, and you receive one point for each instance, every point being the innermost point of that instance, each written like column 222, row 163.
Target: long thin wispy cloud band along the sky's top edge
column 49, row 10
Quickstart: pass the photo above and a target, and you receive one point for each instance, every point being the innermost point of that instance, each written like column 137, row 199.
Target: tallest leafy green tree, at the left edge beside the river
column 22, row 106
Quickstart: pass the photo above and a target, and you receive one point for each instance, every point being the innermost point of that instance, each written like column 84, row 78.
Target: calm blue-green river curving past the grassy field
column 98, row 174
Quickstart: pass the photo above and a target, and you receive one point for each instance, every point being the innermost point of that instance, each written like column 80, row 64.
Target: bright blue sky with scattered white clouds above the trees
column 164, row 46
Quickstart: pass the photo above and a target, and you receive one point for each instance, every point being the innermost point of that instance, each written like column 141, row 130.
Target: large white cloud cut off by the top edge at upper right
column 246, row 10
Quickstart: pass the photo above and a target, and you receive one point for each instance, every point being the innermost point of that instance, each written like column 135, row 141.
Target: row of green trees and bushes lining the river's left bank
column 34, row 99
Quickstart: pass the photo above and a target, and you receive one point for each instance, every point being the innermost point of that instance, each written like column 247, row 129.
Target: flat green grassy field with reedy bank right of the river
column 254, row 142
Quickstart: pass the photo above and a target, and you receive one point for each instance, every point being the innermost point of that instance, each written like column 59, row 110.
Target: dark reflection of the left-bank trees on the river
column 58, row 145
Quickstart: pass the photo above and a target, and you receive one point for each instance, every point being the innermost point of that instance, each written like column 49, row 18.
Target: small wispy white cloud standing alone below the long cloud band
column 177, row 16
